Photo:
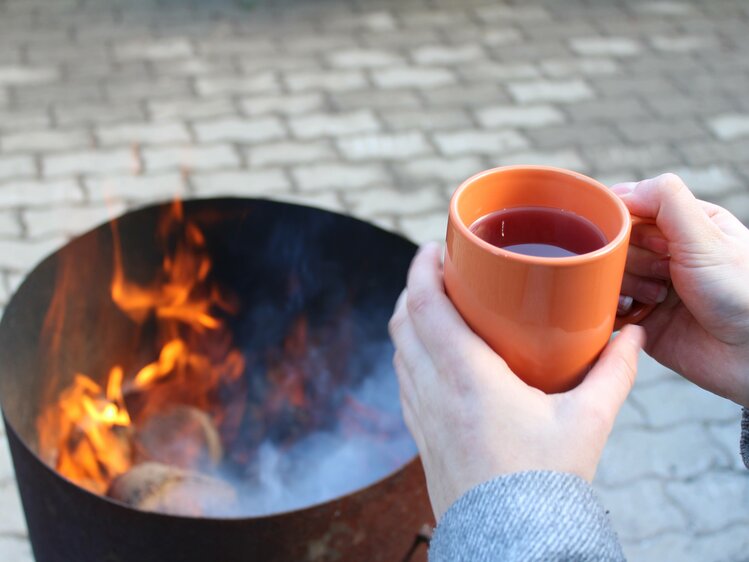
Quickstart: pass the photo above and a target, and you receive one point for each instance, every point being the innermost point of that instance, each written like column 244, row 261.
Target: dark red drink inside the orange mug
column 540, row 231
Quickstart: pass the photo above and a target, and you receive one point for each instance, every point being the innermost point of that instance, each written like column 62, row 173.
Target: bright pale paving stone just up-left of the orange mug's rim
column 396, row 146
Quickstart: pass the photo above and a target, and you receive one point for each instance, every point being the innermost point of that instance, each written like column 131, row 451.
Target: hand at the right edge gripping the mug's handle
column 701, row 328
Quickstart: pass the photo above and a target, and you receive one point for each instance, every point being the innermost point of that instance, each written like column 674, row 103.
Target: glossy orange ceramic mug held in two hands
column 549, row 318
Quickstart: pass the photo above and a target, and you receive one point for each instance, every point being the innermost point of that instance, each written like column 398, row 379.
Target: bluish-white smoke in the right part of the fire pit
column 369, row 442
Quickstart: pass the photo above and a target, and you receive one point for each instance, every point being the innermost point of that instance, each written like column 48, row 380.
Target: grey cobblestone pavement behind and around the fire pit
column 378, row 108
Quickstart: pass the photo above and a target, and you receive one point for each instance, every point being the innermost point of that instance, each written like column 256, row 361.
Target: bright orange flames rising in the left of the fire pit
column 86, row 435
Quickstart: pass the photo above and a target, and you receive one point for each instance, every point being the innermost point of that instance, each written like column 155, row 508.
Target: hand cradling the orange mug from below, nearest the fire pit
column 472, row 418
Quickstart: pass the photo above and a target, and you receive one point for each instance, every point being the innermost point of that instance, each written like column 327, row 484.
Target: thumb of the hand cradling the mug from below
column 607, row 385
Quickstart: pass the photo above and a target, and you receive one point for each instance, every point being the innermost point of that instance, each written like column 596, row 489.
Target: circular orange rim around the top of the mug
column 457, row 223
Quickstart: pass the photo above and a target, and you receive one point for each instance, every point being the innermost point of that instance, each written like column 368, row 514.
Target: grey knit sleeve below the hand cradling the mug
column 527, row 517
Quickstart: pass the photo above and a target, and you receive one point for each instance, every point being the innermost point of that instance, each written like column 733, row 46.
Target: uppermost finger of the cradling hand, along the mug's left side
column 448, row 340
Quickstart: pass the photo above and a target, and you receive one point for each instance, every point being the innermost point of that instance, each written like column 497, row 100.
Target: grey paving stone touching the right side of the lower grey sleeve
column 641, row 510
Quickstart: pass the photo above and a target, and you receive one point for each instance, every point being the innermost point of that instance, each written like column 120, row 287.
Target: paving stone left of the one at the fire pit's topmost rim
column 154, row 187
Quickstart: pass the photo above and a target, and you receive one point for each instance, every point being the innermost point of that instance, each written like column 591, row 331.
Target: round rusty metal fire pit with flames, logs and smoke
column 213, row 381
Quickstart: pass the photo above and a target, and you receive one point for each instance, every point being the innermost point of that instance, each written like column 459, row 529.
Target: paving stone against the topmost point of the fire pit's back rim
column 240, row 183
